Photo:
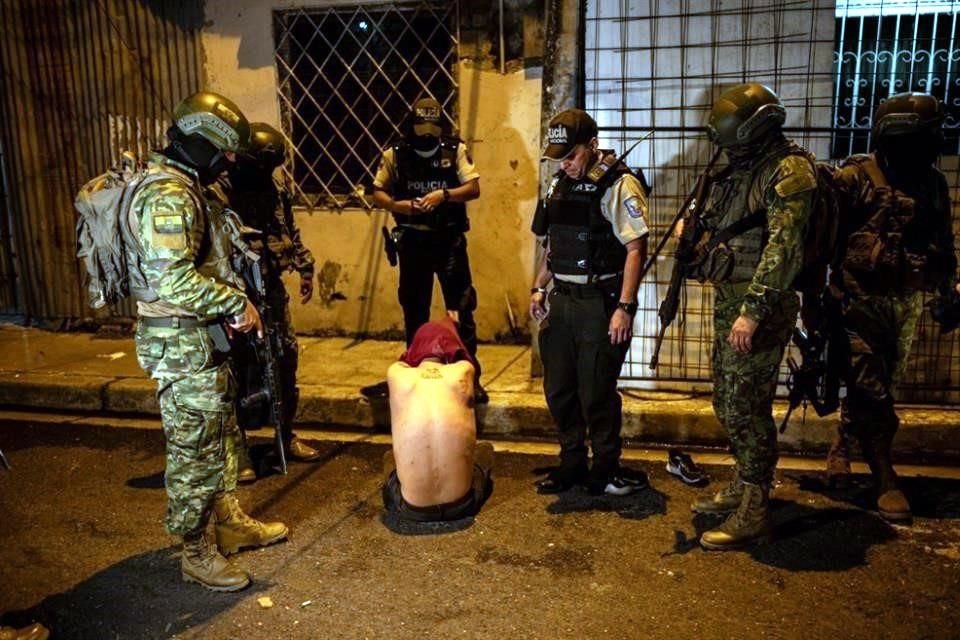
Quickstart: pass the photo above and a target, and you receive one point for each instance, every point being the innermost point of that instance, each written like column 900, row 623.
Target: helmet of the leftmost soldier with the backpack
column 215, row 118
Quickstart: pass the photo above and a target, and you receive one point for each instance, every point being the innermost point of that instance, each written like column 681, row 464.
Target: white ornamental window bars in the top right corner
column 888, row 47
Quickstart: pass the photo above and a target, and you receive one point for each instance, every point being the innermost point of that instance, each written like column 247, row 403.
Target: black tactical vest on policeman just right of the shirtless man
column 582, row 241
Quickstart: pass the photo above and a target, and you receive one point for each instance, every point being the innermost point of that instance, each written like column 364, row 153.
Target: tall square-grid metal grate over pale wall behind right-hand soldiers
column 656, row 65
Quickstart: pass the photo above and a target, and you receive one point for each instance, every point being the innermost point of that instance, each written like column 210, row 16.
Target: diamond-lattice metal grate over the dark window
column 347, row 77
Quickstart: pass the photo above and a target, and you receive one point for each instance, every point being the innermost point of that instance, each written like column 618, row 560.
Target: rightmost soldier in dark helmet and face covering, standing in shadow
column 897, row 242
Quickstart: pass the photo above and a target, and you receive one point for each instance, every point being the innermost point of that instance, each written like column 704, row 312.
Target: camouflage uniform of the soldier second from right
column 768, row 257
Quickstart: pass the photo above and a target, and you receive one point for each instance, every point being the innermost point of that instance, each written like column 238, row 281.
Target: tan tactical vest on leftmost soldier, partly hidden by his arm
column 217, row 234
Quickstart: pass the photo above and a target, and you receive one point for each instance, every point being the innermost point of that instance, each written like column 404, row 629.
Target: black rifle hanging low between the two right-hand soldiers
column 815, row 380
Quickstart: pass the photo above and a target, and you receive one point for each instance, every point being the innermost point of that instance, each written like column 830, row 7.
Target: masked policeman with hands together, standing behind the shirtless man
column 424, row 182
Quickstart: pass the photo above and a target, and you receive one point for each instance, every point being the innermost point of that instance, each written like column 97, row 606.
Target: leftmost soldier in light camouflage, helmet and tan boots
column 183, row 244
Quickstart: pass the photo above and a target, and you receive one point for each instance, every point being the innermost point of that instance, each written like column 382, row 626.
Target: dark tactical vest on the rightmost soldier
column 896, row 249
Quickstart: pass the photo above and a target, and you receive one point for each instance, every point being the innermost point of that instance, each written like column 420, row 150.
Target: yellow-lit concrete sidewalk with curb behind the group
column 80, row 372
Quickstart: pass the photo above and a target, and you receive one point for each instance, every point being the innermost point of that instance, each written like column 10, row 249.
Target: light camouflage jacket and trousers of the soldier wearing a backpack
column 185, row 243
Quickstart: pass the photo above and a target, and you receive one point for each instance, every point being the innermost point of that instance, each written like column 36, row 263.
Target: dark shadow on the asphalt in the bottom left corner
column 142, row 596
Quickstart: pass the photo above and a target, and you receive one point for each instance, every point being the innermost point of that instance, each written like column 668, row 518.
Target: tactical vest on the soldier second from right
column 735, row 221
